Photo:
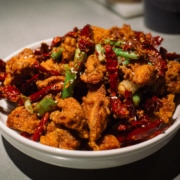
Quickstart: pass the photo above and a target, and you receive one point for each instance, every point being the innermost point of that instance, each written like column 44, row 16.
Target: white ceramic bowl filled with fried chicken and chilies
column 85, row 159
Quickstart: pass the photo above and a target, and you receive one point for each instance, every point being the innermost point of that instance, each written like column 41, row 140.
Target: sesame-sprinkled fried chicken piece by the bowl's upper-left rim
column 20, row 66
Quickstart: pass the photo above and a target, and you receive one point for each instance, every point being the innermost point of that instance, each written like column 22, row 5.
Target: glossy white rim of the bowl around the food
column 80, row 153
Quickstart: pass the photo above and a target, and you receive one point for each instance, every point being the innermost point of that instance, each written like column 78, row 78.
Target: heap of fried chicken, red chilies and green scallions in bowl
column 92, row 89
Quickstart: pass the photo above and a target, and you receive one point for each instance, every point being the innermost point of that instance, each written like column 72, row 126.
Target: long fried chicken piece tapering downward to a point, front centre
column 96, row 108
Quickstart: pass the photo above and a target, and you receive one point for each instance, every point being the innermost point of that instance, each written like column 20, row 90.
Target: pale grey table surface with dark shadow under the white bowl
column 23, row 22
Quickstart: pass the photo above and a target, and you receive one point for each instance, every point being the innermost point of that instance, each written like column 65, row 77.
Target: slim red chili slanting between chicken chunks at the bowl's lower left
column 39, row 130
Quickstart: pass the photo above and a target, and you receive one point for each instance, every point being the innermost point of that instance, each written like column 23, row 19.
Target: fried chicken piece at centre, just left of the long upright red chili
column 94, row 71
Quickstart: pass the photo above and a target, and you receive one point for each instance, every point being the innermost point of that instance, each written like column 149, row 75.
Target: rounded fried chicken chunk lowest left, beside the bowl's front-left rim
column 20, row 119
